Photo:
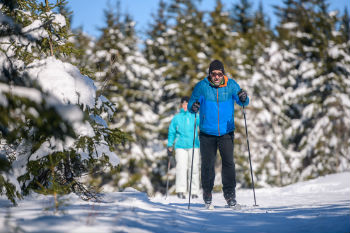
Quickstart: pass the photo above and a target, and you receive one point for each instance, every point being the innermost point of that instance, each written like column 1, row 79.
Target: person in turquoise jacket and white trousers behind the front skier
column 181, row 132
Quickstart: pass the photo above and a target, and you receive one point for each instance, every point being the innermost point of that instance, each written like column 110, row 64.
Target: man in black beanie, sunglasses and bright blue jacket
column 215, row 96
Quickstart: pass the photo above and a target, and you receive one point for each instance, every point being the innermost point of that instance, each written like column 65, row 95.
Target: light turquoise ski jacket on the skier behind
column 181, row 130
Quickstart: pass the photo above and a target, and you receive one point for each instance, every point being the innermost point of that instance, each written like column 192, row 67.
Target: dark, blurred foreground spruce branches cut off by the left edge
column 23, row 118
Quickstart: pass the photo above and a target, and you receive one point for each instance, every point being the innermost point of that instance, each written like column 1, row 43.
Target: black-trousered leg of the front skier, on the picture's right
column 228, row 172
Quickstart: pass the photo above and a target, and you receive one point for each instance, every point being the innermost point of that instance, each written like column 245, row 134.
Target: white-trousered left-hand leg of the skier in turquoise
column 181, row 170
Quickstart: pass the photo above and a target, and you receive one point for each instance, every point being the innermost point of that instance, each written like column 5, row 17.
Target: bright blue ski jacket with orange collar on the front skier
column 216, row 105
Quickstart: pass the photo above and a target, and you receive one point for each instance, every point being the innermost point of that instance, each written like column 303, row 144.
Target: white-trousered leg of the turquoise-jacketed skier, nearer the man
column 195, row 172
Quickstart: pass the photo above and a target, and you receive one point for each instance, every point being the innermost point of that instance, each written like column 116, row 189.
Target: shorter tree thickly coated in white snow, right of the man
column 271, row 159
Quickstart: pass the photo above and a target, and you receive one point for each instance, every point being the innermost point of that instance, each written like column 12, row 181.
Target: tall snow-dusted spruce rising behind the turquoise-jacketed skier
column 178, row 34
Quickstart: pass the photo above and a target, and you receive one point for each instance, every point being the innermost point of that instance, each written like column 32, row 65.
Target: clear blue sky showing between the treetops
column 89, row 13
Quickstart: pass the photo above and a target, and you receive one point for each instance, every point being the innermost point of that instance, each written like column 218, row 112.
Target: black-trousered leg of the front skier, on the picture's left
column 208, row 147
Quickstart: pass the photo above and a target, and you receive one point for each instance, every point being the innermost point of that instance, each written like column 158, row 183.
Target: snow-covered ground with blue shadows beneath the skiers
column 320, row 205
